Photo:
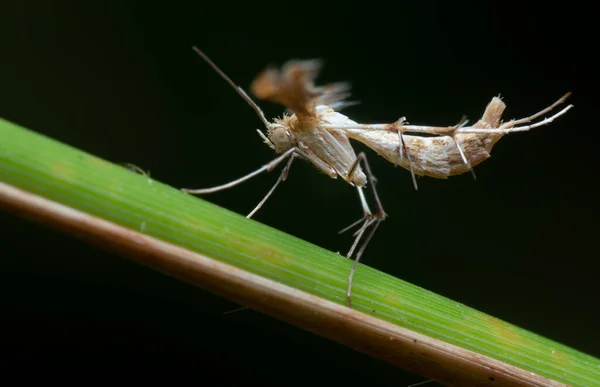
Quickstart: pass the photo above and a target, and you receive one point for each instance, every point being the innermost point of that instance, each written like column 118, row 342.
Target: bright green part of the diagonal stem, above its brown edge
column 69, row 176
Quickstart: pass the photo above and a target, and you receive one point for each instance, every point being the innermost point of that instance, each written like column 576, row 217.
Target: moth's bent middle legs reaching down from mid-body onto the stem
column 369, row 219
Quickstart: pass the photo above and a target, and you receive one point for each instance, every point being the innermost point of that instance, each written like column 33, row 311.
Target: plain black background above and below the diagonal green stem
column 118, row 79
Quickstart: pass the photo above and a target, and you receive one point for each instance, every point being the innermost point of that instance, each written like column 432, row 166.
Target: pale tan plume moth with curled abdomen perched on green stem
column 316, row 132
